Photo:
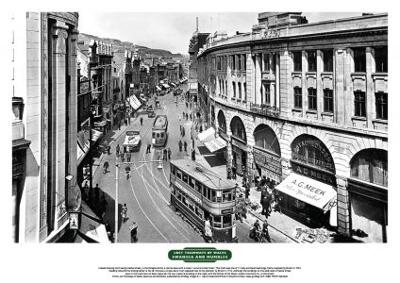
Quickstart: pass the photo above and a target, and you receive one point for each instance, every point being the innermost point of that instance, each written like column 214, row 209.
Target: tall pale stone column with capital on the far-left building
column 60, row 35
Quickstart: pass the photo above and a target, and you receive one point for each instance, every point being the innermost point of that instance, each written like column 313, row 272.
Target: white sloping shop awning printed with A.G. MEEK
column 309, row 190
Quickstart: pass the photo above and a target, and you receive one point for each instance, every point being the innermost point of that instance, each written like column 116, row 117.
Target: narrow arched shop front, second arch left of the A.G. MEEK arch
column 239, row 146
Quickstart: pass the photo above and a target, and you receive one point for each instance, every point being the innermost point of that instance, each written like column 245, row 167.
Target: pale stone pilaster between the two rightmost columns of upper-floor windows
column 370, row 93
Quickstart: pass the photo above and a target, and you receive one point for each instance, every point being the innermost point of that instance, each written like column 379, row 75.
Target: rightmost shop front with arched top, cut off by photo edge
column 368, row 196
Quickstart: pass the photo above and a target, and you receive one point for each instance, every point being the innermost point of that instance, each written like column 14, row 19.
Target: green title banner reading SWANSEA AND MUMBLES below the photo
column 199, row 254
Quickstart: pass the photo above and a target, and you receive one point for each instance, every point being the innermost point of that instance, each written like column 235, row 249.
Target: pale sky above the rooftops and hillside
column 172, row 31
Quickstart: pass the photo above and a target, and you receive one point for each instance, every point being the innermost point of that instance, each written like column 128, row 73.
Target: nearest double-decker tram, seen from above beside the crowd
column 200, row 194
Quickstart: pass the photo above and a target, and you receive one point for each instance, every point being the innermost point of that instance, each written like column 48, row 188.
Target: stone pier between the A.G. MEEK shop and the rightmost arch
column 343, row 213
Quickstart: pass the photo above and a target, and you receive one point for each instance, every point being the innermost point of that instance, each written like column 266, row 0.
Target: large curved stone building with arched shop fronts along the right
column 305, row 104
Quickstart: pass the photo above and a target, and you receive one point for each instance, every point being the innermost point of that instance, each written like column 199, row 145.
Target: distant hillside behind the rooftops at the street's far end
column 120, row 46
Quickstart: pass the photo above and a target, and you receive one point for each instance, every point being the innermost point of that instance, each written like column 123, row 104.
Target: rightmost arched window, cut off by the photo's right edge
column 370, row 165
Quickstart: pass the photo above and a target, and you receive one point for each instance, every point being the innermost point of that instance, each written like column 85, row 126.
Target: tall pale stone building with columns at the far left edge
column 44, row 130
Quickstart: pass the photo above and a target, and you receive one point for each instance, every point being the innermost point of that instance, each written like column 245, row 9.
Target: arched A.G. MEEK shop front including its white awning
column 309, row 192
